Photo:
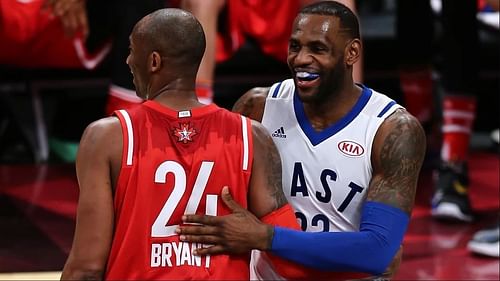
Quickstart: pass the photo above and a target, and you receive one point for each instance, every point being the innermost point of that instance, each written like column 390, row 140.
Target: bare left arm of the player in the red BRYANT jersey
column 95, row 215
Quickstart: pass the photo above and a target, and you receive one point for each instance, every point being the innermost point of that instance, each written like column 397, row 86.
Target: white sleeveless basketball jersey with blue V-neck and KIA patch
column 325, row 174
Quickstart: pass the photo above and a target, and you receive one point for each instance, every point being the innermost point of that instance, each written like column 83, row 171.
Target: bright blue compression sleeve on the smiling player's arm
column 370, row 250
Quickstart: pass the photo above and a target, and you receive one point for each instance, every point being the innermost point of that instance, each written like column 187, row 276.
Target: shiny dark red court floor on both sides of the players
column 38, row 204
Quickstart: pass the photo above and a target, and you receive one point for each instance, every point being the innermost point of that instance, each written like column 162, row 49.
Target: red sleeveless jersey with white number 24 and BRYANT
column 174, row 163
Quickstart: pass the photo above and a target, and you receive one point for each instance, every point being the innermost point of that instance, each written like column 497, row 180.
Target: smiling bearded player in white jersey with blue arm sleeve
column 351, row 158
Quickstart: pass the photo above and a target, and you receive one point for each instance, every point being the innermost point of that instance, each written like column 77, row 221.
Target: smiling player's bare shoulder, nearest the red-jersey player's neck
column 252, row 103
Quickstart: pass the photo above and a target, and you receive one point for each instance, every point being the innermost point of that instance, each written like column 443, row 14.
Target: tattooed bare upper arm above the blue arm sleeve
column 400, row 159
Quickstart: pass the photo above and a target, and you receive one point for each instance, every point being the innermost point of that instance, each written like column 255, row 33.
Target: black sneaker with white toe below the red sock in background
column 451, row 198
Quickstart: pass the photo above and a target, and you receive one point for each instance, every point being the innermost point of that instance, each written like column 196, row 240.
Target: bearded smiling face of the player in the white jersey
column 316, row 56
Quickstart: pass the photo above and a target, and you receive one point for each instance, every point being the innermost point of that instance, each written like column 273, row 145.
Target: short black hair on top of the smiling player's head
column 348, row 20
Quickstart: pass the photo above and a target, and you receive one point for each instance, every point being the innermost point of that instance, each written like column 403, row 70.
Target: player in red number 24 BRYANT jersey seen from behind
column 140, row 170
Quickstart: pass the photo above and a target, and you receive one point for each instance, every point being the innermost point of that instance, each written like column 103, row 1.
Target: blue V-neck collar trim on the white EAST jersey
column 317, row 137
